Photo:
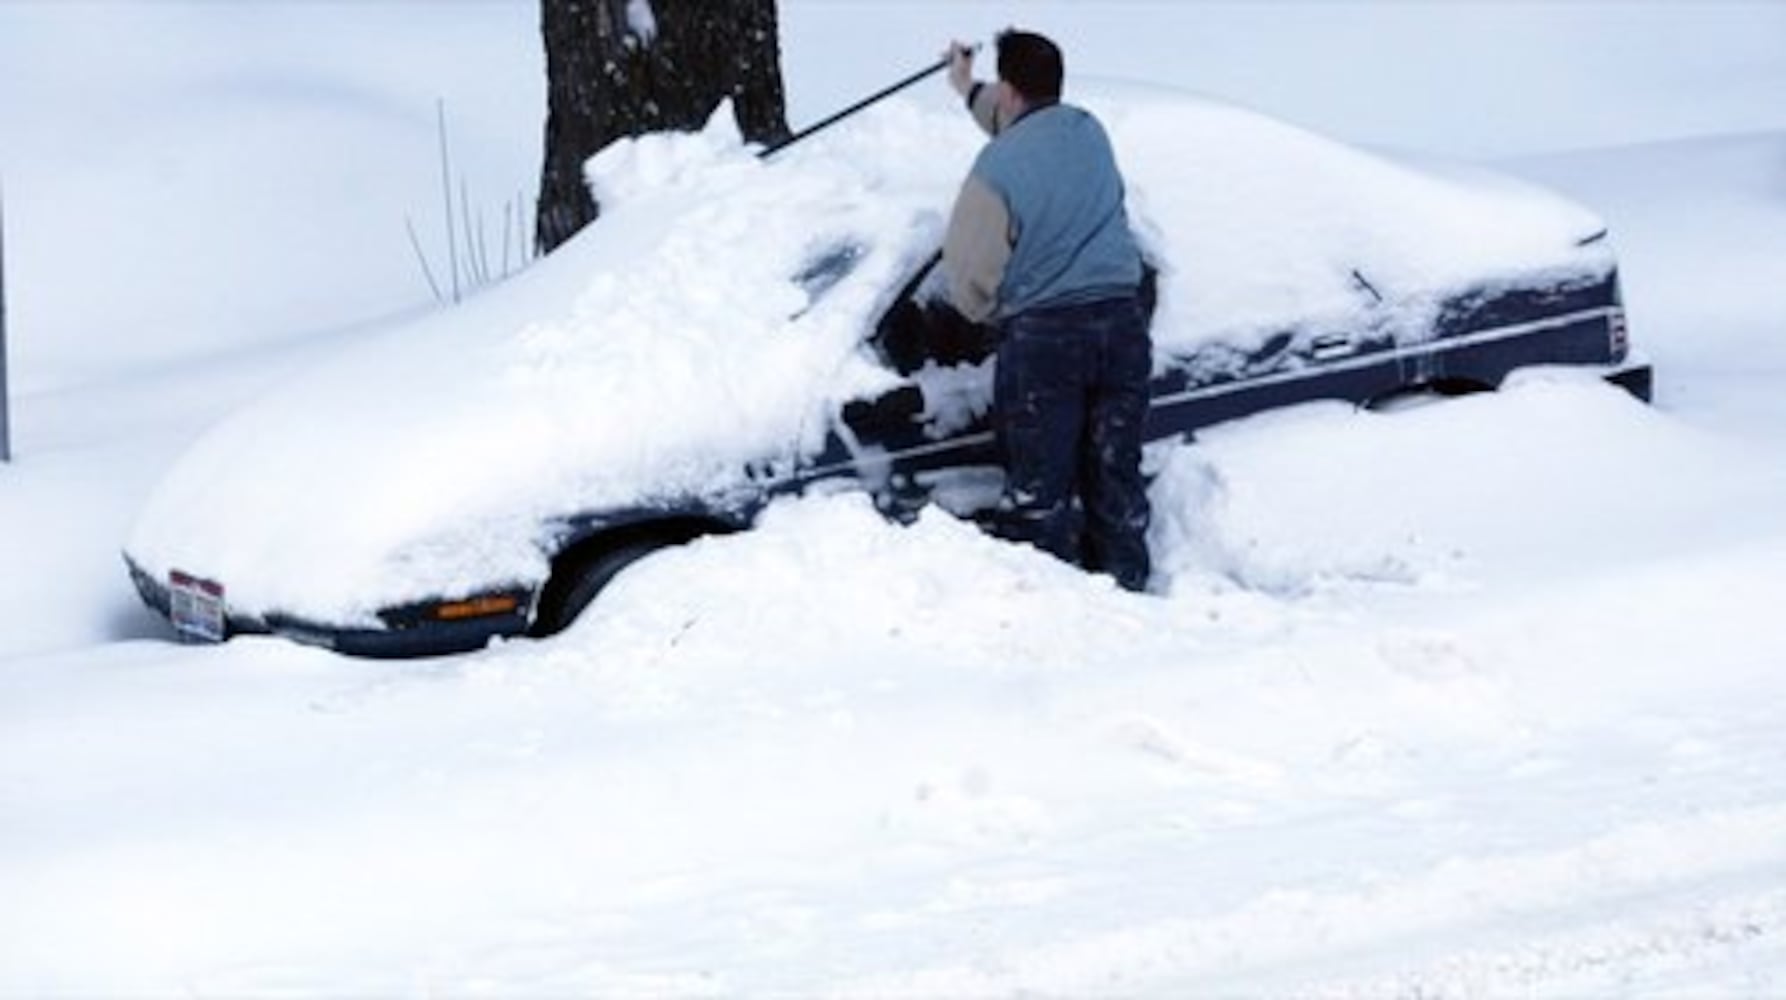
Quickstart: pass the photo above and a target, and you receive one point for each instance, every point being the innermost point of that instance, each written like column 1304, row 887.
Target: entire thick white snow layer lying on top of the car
column 708, row 326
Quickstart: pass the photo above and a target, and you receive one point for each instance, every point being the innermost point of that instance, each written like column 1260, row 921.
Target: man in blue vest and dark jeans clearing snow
column 1040, row 242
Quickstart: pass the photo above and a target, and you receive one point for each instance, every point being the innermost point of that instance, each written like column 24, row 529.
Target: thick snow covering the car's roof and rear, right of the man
column 1265, row 228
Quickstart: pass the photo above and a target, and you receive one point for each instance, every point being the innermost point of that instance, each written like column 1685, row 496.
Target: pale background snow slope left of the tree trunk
column 194, row 179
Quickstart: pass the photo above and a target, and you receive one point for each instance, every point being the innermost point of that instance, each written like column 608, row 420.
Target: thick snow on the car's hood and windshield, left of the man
column 653, row 360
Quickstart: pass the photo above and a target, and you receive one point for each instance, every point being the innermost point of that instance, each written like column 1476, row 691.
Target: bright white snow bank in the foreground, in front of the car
column 837, row 756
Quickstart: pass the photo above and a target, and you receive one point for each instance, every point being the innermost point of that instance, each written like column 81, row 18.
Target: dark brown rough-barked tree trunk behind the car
column 631, row 67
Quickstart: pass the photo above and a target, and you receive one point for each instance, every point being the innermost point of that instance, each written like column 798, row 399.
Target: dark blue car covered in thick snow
column 735, row 329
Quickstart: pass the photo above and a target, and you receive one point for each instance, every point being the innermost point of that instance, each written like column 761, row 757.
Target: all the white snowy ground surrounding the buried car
column 1467, row 699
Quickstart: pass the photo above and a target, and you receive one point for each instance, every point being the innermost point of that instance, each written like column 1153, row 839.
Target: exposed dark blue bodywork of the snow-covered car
column 885, row 446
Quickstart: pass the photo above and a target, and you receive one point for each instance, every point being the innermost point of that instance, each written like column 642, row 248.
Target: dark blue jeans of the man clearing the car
column 1069, row 404
